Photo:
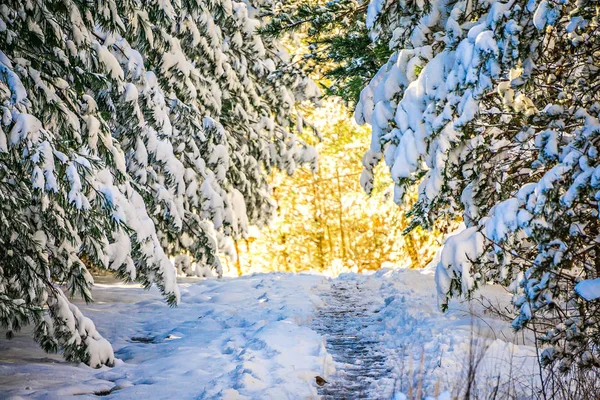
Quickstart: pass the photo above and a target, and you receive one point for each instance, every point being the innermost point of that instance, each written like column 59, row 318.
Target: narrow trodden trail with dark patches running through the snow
column 361, row 362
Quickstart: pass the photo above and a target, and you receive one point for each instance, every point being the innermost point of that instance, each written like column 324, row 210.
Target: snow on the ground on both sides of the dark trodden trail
column 251, row 337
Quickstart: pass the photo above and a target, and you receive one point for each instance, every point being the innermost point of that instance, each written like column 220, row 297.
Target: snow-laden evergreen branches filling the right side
column 493, row 109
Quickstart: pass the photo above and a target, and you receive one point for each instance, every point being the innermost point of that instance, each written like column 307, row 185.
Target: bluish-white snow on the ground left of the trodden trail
column 230, row 338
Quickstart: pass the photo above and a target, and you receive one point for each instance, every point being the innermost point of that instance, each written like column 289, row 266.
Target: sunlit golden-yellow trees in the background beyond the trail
column 324, row 220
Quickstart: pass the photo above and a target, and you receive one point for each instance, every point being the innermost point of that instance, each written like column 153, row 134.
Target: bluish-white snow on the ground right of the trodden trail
column 431, row 350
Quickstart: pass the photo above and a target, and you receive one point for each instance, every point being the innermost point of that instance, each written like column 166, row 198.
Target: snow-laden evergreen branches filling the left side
column 132, row 131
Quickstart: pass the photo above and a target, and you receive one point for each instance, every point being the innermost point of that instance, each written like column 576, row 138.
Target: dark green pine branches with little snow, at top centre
column 339, row 47
